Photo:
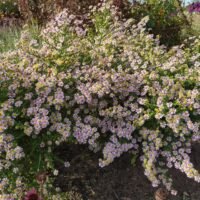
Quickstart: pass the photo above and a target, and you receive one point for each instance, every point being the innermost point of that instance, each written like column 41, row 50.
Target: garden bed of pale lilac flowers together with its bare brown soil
column 102, row 83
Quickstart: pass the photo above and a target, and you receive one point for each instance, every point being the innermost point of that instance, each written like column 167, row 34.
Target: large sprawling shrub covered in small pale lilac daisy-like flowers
column 110, row 86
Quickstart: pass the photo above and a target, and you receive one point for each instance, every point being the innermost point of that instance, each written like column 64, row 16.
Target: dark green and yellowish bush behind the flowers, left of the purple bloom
column 166, row 19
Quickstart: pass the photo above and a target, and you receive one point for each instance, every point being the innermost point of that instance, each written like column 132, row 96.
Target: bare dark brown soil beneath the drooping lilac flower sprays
column 118, row 181
